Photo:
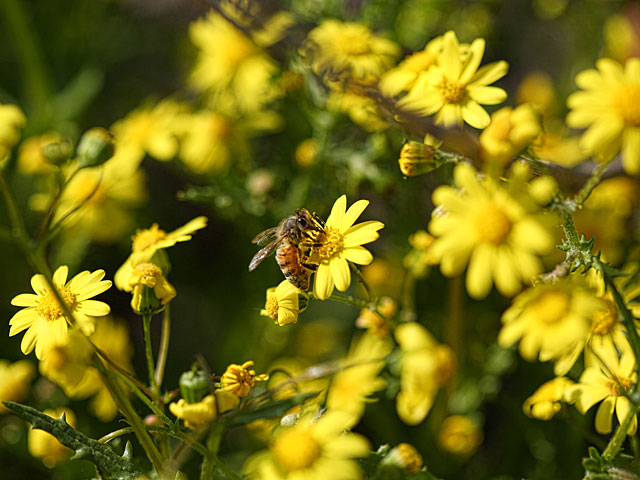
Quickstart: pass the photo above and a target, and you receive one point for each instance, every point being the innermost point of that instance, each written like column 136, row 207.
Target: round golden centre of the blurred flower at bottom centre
column 295, row 449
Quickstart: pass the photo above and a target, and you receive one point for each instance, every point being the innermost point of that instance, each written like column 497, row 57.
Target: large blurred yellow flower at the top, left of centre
column 231, row 66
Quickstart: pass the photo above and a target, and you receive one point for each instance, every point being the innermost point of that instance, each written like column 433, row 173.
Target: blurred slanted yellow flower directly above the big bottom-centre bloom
column 351, row 388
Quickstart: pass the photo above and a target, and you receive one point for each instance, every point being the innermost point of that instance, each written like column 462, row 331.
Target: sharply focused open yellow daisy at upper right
column 455, row 88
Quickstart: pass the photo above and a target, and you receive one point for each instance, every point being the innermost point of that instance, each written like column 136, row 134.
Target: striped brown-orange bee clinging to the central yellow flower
column 292, row 239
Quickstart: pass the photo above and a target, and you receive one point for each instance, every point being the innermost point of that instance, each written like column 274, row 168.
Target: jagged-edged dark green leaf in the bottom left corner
column 110, row 464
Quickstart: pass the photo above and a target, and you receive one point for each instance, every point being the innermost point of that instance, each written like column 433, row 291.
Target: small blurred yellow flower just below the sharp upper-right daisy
column 509, row 132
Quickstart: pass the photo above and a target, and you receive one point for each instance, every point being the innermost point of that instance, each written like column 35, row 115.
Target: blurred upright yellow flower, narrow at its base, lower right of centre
column 426, row 366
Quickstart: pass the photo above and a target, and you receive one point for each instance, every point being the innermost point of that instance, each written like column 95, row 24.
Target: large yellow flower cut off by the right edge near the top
column 609, row 106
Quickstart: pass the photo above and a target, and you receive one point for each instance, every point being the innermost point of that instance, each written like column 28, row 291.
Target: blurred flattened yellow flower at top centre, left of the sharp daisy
column 337, row 48
